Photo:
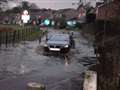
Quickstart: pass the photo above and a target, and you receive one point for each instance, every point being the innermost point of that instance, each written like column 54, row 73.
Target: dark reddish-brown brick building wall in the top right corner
column 109, row 10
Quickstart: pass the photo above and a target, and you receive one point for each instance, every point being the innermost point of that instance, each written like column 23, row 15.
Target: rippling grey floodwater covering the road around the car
column 26, row 63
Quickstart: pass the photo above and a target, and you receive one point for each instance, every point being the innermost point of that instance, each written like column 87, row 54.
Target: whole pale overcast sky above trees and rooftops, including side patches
column 53, row 4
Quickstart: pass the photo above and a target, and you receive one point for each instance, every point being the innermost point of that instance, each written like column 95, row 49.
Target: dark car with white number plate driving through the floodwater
column 58, row 42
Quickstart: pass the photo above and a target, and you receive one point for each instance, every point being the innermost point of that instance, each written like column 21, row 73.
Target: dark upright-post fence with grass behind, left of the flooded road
column 10, row 37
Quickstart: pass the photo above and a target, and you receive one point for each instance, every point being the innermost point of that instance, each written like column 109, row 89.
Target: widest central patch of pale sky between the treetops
column 55, row 4
